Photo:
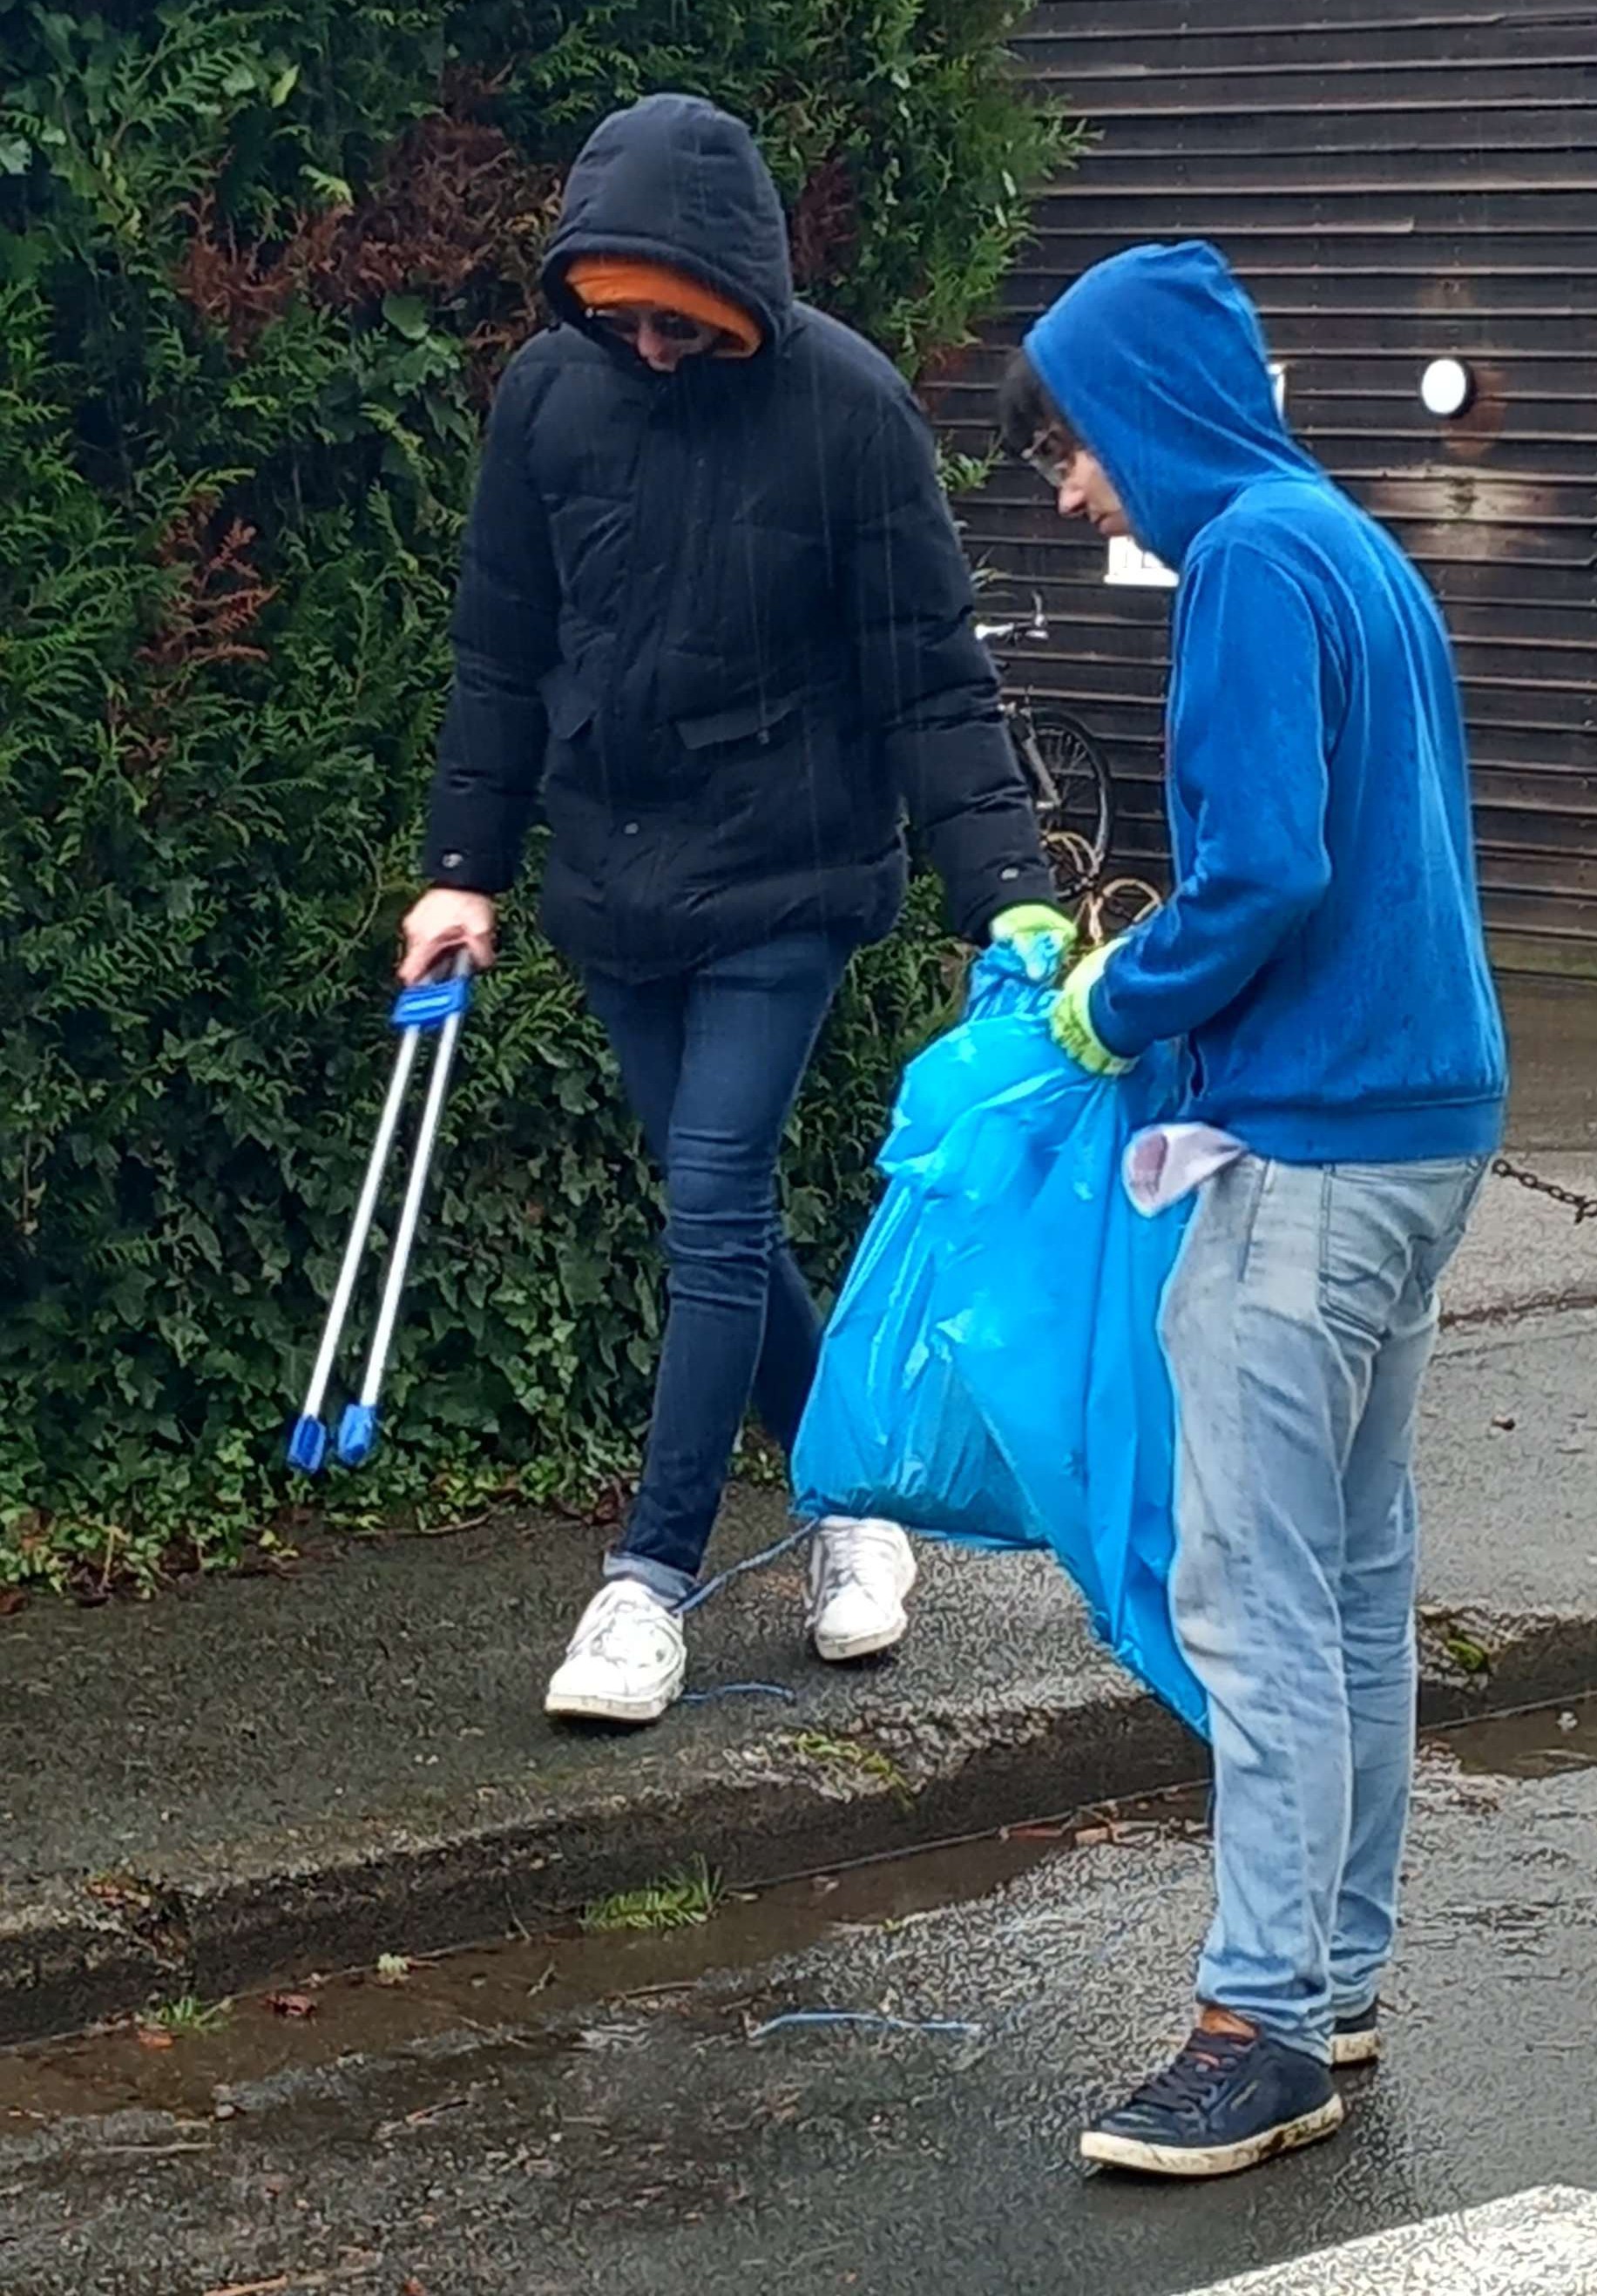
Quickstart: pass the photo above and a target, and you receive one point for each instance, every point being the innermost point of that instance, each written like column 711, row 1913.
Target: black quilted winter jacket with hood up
column 716, row 626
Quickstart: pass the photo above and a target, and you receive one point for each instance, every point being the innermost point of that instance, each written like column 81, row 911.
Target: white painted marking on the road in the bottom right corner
column 1536, row 2244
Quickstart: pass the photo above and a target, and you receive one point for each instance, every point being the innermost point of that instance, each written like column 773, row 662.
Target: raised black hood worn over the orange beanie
column 677, row 183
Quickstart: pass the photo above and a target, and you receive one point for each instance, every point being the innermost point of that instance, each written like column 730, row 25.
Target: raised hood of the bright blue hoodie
column 1159, row 364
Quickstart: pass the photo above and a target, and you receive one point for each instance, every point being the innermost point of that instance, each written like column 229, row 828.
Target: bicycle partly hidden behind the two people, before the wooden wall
column 1074, row 796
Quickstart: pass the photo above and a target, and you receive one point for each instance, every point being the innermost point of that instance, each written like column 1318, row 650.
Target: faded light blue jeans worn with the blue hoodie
column 1299, row 1326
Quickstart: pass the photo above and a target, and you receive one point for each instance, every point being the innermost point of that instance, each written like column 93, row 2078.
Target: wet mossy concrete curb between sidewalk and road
column 780, row 1804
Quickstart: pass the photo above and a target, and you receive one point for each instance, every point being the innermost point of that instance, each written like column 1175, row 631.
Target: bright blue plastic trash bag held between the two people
column 994, row 1370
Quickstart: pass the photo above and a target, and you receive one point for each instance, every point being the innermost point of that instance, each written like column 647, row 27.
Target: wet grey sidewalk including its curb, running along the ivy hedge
column 314, row 1771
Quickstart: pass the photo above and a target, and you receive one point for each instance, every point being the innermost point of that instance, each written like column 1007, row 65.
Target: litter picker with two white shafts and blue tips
column 433, row 1009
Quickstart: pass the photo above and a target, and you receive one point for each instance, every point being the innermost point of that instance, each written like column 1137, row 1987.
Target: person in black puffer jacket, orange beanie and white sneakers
column 716, row 630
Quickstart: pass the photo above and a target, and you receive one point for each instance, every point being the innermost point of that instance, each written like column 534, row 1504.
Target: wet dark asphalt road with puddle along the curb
column 599, row 2113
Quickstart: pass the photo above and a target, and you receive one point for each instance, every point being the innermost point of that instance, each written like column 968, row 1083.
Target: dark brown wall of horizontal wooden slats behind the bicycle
column 1396, row 180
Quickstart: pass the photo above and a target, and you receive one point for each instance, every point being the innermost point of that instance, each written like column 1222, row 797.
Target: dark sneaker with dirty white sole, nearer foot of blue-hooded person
column 1226, row 2104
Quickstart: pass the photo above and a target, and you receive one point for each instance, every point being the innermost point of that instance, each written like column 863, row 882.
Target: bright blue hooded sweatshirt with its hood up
column 1322, row 952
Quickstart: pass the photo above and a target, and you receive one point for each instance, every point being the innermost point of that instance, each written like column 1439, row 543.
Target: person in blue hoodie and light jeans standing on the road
column 1322, row 959
